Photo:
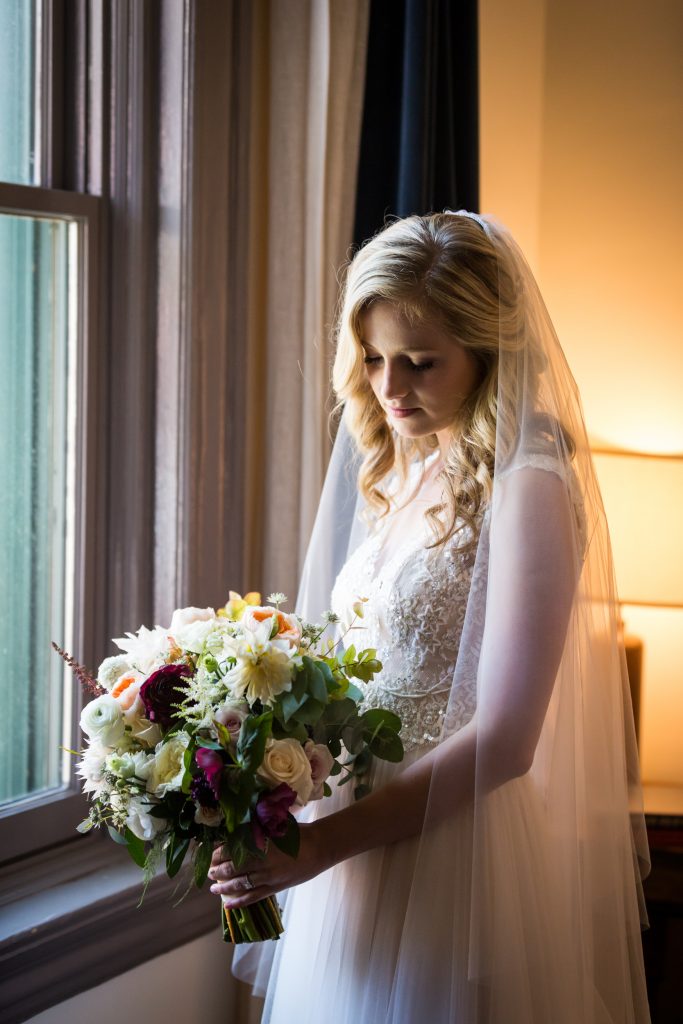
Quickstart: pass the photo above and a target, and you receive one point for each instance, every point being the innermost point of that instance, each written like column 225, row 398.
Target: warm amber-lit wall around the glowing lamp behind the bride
column 582, row 149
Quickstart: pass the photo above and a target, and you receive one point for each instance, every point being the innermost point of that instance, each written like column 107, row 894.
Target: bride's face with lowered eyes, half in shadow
column 420, row 375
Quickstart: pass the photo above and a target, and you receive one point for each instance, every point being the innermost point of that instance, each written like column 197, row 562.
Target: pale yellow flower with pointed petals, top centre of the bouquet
column 264, row 669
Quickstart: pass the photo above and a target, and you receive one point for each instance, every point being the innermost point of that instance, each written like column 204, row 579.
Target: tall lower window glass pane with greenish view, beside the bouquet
column 38, row 267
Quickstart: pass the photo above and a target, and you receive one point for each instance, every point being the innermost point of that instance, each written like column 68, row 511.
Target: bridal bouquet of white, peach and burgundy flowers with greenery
column 216, row 730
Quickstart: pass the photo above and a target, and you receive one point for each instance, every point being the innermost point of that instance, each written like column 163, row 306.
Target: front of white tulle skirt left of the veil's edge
column 358, row 950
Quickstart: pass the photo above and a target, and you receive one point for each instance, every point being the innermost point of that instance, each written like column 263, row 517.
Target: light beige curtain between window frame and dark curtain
column 308, row 63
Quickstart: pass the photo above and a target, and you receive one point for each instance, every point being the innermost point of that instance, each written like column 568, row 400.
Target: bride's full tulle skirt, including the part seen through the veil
column 407, row 933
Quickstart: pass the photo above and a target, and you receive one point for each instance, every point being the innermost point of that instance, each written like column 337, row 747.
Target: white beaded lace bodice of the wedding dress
column 414, row 616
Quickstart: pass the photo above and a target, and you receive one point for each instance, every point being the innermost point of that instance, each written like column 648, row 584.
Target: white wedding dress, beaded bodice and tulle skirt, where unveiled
column 338, row 961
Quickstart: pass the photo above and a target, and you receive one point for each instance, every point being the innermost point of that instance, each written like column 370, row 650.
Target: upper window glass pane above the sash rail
column 19, row 50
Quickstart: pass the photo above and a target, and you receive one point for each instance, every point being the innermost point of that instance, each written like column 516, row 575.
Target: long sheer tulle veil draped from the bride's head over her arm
column 553, row 813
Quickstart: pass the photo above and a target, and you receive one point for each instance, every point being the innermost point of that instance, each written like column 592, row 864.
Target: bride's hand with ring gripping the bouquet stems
column 276, row 872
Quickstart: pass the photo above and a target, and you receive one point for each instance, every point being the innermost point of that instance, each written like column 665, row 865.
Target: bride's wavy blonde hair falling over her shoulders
column 444, row 270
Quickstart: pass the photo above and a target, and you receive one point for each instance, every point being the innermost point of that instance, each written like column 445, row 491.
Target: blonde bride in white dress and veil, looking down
column 494, row 876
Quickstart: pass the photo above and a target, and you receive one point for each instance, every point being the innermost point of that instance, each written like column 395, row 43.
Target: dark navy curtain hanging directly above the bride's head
column 420, row 146
